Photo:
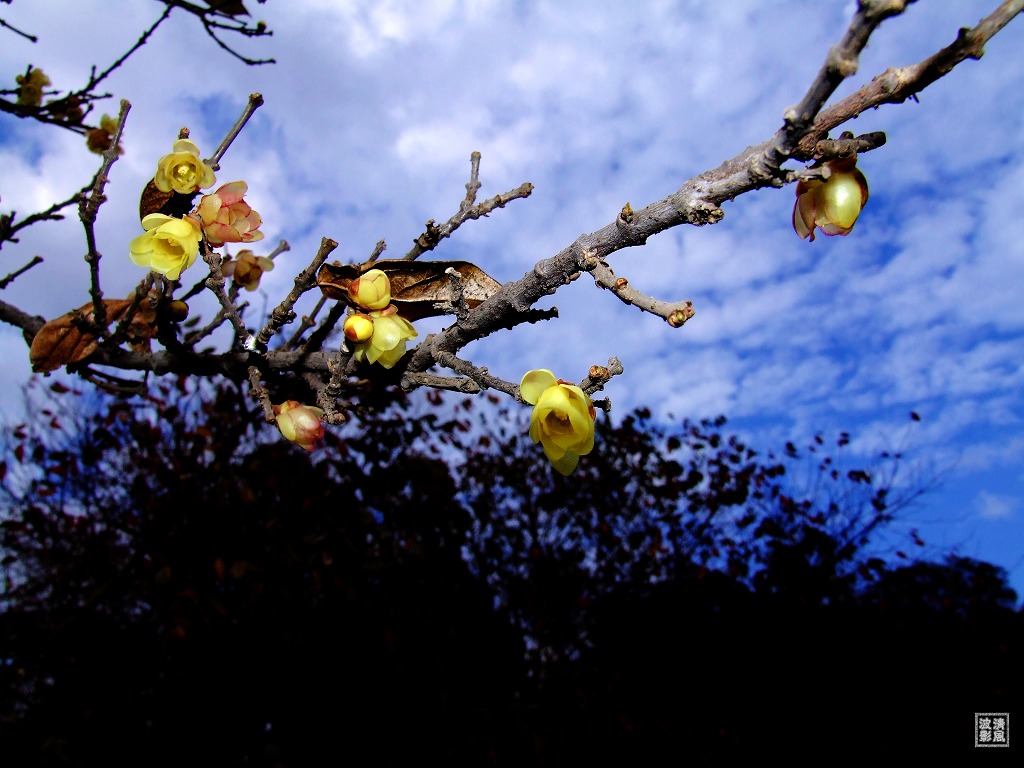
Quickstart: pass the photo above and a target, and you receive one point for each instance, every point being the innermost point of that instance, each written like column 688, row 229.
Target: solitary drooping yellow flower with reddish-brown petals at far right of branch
column 834, row 204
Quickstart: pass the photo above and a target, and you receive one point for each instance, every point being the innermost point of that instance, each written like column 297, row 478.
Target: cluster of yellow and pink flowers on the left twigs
column 172, row 245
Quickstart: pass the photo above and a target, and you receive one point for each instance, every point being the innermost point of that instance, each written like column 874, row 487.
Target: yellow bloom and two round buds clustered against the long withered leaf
column 379, row 334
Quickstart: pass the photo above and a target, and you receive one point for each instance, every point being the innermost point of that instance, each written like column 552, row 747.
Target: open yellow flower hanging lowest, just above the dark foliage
column 563, row 420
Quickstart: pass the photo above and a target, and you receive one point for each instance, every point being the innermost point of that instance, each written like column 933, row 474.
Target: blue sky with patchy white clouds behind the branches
column 374, row 108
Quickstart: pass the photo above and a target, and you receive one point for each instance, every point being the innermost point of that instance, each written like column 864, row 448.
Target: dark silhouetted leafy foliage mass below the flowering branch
column 426, row 586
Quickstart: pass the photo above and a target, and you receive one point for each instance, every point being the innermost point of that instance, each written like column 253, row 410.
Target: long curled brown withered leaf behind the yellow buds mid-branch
column 419, row 289
